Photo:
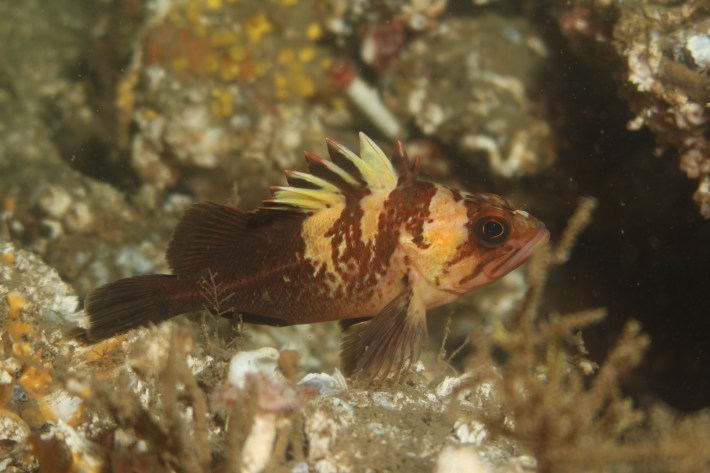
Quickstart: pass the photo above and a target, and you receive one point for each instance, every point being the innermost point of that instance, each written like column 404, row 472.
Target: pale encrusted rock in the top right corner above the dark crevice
column 659, row 53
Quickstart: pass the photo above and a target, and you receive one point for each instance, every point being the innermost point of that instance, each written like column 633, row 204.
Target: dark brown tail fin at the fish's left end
column 121, row 305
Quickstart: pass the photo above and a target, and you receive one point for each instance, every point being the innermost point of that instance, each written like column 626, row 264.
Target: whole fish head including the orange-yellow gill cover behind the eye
column 469, row 241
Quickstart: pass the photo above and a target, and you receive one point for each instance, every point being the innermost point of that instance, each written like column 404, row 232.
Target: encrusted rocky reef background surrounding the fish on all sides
column 116, row 116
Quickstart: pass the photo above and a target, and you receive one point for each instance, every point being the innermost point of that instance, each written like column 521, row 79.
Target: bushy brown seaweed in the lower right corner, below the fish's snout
column 568, row 412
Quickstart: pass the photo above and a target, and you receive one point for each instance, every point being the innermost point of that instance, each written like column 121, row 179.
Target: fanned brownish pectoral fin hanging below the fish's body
column 389, row 343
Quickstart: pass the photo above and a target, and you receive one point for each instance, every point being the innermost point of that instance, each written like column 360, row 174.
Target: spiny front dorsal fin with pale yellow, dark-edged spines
column 346, row 176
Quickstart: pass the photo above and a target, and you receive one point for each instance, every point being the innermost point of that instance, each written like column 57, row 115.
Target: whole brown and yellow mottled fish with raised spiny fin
column 358, row 239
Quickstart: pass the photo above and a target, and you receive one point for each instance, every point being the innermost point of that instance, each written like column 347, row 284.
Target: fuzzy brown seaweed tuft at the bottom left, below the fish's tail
column 169, row 431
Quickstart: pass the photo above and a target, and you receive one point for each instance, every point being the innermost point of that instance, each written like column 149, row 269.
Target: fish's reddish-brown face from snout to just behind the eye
column 499, row 239
